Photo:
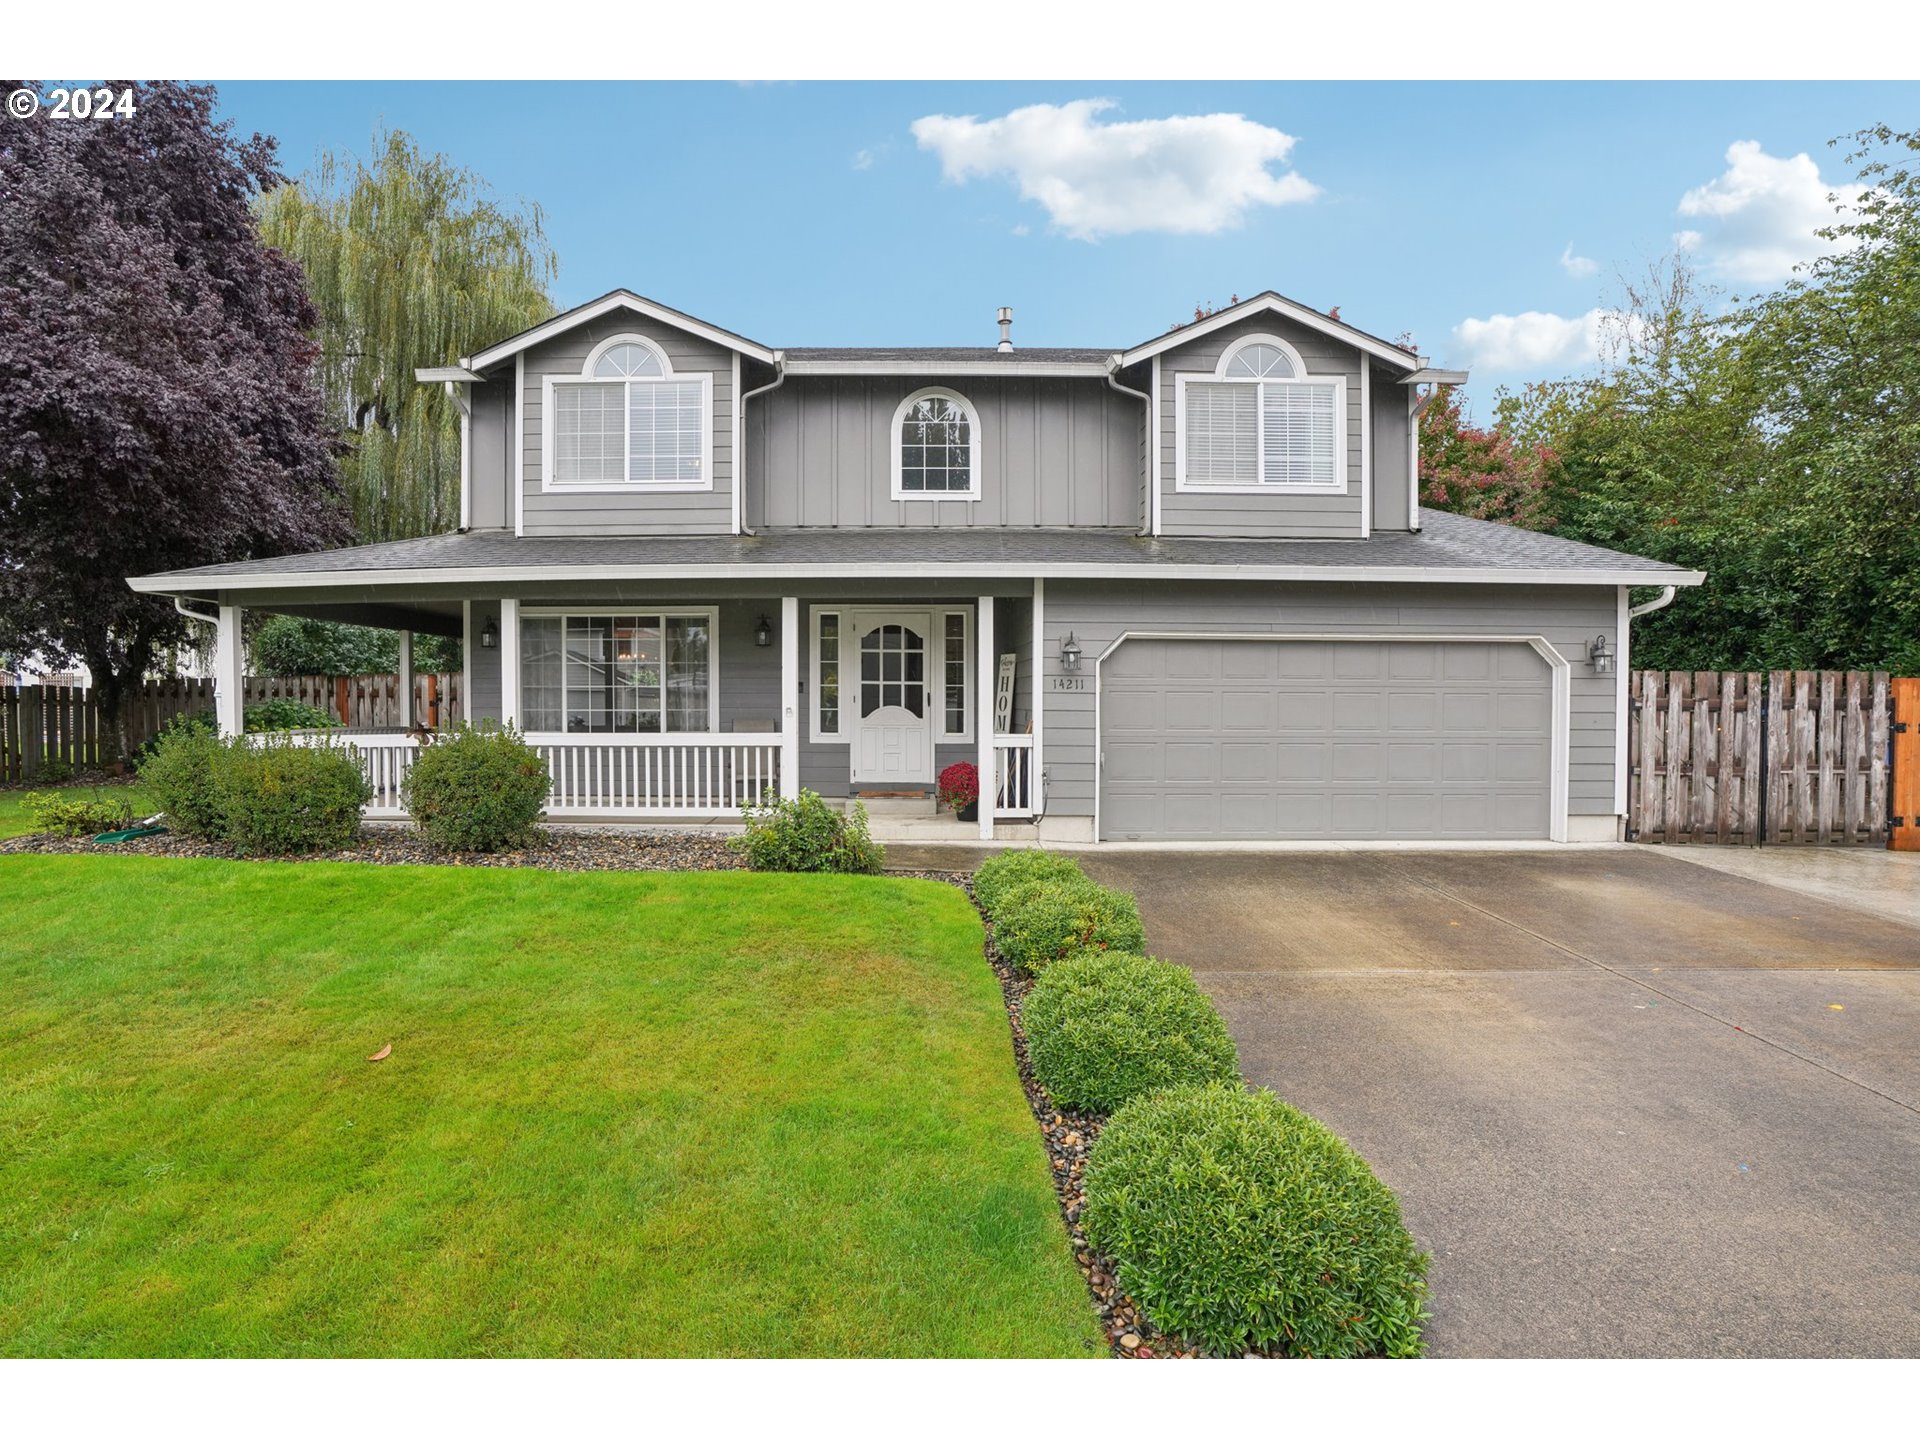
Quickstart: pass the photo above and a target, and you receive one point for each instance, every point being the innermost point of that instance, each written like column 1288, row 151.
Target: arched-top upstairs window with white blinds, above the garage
column 1262, row 421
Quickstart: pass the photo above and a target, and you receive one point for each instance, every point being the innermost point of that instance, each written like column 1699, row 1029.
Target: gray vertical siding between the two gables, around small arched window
column 1053, row 452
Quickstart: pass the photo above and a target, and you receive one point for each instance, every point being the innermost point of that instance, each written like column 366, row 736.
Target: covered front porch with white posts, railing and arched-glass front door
column 681, row 704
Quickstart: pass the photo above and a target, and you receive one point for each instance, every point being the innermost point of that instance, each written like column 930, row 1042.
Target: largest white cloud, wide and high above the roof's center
column 1180, row 176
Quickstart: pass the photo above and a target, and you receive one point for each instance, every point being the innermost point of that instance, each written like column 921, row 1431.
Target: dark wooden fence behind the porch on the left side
column 60, row 723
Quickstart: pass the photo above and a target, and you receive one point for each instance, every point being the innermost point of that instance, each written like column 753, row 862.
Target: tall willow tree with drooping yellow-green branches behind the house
column 410, row 262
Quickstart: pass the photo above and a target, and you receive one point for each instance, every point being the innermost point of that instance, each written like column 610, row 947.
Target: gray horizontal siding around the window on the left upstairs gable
column 638, row 512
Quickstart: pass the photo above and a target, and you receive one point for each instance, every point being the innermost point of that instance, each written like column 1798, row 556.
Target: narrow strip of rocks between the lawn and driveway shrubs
column 1068, row 1140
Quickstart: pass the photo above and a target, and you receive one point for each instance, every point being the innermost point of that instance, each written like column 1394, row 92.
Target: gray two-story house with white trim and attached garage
column 1168, row 592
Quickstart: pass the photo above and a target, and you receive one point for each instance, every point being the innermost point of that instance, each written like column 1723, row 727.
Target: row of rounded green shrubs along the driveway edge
column 1234, row 1220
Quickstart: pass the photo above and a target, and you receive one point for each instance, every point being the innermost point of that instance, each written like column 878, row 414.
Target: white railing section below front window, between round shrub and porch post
column 658, row 775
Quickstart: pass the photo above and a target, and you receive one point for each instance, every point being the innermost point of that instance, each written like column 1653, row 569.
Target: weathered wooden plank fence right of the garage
column 1787, row 757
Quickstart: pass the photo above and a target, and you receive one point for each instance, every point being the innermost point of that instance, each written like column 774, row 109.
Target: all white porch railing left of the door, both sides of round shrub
column 594, row 777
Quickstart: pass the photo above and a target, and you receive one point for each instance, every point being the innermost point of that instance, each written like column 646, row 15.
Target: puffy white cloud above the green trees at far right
column 1760, row 218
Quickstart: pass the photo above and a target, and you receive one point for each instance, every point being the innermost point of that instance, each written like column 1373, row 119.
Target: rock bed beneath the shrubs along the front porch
column 395, row 846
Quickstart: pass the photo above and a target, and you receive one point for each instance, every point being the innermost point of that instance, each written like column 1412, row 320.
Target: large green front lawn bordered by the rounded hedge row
column 627, row 1115
